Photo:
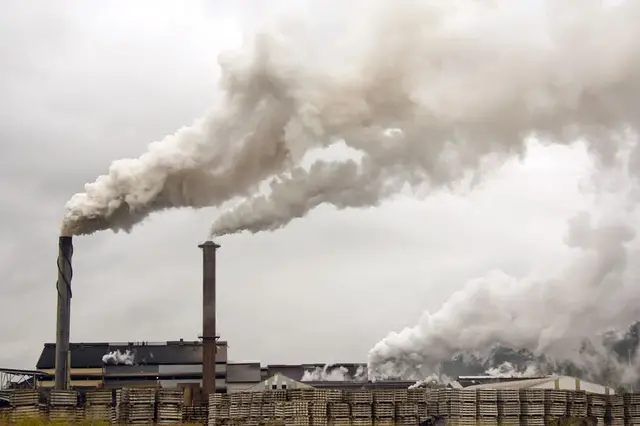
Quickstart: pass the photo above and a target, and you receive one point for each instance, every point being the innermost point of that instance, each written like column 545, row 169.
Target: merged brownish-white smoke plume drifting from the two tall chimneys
column 458, row 81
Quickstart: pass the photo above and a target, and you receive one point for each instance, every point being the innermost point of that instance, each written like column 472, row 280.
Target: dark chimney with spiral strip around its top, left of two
column 65, row 252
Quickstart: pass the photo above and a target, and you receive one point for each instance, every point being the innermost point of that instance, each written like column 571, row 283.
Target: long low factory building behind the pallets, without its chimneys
column 179, row 364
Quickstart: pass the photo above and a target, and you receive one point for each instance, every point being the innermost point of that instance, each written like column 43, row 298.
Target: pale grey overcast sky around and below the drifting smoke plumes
column 84, row 83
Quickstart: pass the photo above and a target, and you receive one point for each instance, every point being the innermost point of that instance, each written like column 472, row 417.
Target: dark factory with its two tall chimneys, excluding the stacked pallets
column 202, row 367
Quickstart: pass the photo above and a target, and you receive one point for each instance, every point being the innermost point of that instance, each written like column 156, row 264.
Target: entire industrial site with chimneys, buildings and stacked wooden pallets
column 194, row 381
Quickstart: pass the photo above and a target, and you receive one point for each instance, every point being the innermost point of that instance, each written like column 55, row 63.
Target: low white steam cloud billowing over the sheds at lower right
column 549, row 314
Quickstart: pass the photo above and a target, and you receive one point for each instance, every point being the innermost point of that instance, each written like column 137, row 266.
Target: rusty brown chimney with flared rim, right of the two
column 209, row 316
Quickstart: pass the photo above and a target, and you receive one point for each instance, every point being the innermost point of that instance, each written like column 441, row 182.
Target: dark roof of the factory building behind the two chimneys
column 89, row 355
